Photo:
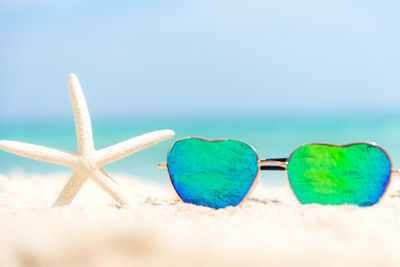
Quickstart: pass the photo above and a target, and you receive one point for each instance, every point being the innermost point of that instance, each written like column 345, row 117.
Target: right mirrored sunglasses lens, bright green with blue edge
column 355, row 174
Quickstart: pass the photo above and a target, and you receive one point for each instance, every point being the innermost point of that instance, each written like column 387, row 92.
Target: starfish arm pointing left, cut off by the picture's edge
column 38, row 152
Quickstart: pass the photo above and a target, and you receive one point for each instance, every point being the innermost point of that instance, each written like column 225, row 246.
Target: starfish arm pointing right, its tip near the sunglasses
column 123, row 149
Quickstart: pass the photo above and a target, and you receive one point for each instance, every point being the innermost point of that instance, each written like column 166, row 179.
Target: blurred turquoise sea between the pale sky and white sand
column 272, row 136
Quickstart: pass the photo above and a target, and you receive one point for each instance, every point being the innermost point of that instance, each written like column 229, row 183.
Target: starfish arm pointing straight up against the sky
column 83, row 124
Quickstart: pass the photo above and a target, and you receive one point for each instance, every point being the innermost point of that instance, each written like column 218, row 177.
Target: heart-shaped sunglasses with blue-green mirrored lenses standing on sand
column 222, row 173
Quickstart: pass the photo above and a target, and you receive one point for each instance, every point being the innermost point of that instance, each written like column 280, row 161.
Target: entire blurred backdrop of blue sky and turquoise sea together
column 276, row 74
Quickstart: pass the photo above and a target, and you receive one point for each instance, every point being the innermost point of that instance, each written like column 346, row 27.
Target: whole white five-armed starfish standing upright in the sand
column 87, row 162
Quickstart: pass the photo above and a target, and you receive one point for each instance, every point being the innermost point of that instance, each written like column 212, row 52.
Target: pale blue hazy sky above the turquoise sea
column 199, row 57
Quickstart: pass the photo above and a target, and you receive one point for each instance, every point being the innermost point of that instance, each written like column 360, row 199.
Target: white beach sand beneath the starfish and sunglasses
column 270, row 229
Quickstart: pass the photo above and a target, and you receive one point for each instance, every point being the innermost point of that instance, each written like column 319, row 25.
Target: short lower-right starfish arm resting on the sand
column 112, row 188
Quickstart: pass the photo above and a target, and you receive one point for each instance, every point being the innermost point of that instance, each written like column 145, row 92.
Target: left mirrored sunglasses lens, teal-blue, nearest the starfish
column 216, row 174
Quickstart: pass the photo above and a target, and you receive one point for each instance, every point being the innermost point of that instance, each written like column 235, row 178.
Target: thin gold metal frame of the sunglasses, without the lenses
column 282, row 164
